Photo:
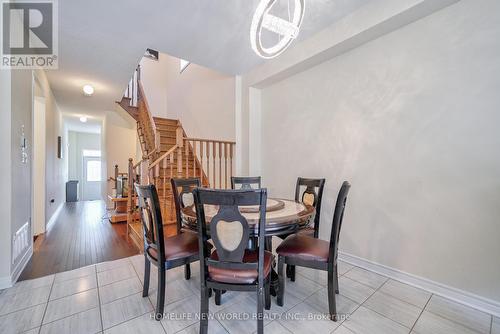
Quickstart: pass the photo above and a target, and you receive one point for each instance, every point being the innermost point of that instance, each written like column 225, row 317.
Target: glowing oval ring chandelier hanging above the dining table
column 288, row 30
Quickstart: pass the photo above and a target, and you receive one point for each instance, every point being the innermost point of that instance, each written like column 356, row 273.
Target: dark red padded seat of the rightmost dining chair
column 304, row 247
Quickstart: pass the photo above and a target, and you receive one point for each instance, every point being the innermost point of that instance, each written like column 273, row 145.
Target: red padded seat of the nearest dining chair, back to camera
column 240, row 276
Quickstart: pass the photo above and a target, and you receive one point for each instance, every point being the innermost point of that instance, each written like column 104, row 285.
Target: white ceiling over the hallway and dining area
column 100, row 42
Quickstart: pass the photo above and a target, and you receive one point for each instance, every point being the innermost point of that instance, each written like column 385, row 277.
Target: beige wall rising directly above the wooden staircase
column 201, row 98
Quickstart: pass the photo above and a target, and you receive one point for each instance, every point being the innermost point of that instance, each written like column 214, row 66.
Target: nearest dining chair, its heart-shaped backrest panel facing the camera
column 232, row 265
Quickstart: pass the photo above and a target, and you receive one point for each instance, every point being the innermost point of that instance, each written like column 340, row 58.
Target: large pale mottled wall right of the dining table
column 411, row 120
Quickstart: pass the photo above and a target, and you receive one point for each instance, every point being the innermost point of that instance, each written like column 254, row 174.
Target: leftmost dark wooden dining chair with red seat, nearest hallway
column 164, row 253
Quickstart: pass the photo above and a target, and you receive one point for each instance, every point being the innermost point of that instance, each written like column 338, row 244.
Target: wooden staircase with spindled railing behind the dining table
column 167, row 152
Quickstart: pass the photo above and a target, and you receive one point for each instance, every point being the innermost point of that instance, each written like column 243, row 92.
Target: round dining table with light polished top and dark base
column 283, row 217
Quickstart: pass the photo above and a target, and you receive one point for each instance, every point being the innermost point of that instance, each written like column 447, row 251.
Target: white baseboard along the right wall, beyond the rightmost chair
column 460, row 296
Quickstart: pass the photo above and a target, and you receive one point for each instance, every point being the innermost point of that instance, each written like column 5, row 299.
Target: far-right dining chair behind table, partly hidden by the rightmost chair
column 310, row 192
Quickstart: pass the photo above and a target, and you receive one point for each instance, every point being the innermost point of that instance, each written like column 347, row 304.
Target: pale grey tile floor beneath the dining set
column 106, row 298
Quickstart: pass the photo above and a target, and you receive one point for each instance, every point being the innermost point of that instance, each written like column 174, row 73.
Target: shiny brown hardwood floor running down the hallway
column 81, row 235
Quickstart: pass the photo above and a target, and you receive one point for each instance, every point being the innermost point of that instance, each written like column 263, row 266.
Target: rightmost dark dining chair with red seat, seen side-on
column 306, row 251
